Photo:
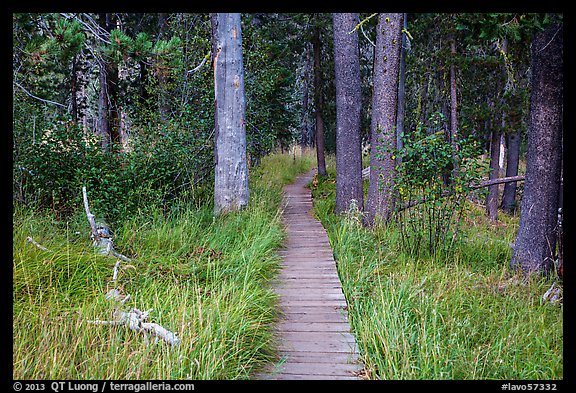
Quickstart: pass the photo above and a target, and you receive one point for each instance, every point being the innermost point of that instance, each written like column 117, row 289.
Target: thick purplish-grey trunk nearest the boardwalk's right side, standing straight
column 348, row 113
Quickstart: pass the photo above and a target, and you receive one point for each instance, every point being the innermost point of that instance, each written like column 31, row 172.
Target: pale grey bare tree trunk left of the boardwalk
column 231, row 189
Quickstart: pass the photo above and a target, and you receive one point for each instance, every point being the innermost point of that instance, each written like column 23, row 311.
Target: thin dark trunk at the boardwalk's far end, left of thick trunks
column 319, row 104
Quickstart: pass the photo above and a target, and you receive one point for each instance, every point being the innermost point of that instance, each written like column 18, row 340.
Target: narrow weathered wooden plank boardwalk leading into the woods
column 314, row 338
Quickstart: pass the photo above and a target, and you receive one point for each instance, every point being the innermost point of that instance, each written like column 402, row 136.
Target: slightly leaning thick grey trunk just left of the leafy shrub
column 384, row 102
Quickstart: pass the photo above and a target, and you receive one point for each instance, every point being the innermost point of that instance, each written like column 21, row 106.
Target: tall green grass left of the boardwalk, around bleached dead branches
column 206, row 279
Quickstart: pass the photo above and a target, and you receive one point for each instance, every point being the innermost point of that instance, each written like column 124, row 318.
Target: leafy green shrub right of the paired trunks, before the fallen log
column 435, row 177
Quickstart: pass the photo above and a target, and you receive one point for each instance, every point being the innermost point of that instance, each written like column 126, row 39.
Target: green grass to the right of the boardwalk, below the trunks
column 468, row 317
